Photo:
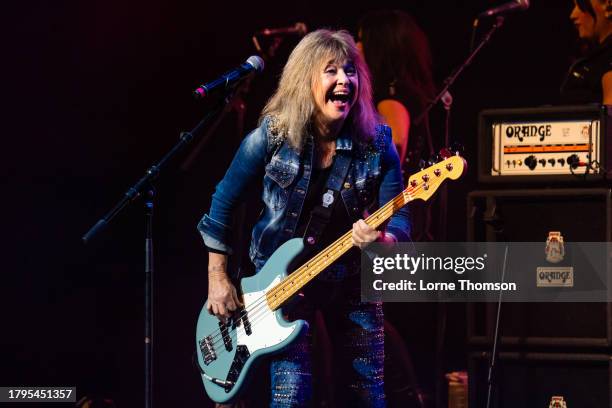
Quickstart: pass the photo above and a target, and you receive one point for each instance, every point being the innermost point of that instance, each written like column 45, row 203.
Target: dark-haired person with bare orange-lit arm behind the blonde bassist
column 397, row 53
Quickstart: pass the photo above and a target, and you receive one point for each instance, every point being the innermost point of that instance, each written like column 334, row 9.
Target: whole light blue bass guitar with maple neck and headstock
column 226, row 351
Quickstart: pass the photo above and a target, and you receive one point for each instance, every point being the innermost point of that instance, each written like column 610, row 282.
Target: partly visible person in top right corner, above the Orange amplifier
column 589, row 79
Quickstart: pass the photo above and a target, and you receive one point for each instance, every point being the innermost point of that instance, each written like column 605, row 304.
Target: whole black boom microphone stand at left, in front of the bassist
column 145, row 188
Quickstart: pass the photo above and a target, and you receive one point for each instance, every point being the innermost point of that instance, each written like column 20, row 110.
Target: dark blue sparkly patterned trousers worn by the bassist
column 357, row 337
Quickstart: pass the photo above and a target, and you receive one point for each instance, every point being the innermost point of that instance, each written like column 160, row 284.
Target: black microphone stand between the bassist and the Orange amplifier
column 448, row 82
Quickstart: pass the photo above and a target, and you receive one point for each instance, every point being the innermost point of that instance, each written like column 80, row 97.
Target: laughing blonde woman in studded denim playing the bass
column 321, row 110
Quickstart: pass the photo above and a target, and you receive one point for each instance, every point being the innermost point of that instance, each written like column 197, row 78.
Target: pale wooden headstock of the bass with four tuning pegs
column 423, row 184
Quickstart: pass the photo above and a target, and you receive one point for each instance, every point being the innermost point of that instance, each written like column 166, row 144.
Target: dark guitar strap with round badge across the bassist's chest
column 322, row 213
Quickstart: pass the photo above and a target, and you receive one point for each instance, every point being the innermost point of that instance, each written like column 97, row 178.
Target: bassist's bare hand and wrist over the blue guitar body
column 222, row 296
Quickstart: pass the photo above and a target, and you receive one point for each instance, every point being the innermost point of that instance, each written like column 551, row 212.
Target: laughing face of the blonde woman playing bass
column 334, row 90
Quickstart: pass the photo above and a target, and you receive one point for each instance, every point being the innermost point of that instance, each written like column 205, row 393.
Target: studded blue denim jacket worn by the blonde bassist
column 374, row 178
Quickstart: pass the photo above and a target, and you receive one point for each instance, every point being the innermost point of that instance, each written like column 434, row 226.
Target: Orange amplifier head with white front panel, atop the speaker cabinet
column 547, row 144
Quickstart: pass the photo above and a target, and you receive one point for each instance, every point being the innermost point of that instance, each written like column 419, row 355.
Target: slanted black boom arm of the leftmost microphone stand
column 151, row 174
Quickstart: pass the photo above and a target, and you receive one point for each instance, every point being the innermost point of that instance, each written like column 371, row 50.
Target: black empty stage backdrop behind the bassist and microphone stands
column 96, row 91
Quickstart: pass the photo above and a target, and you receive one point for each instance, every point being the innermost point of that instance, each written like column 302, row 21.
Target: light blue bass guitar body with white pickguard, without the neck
column 227, row 352
